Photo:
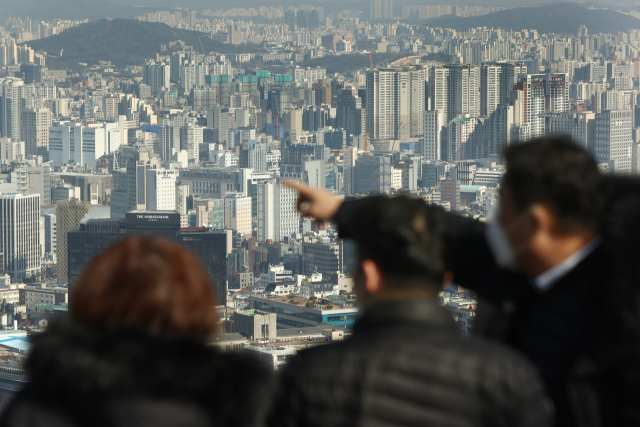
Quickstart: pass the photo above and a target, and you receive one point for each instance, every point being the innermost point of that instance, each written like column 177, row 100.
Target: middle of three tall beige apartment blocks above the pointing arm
column 455, row 90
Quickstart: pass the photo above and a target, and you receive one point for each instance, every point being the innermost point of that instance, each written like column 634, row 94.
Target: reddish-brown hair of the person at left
column 145, row 283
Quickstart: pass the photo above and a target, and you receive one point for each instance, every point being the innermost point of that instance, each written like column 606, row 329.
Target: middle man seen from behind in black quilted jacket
column 407, row 363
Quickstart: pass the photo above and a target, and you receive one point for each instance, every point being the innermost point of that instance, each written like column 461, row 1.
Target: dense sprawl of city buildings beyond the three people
column 192, row 146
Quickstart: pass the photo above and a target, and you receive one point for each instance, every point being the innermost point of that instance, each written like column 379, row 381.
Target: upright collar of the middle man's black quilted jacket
column 425, row 313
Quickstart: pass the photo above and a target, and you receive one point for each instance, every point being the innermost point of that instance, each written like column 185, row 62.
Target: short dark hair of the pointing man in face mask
column 560, row 173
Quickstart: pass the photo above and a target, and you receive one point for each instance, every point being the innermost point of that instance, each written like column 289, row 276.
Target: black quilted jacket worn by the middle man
column 408, row 365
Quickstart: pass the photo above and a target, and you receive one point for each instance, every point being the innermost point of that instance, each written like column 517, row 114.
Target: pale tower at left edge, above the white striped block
column 14, row 98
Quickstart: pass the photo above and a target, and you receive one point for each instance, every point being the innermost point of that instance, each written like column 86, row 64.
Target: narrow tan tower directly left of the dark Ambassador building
column 69, row 213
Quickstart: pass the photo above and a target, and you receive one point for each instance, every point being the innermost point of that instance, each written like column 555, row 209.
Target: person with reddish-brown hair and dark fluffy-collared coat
column 133, row 353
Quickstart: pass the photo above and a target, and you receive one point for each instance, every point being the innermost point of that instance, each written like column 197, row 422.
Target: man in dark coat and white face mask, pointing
column 556, row 273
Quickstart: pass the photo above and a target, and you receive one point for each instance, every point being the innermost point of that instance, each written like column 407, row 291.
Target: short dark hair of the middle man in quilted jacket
column 405, row 238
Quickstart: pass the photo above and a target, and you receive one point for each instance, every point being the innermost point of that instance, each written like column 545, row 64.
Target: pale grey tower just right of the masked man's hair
column 613, row 140
